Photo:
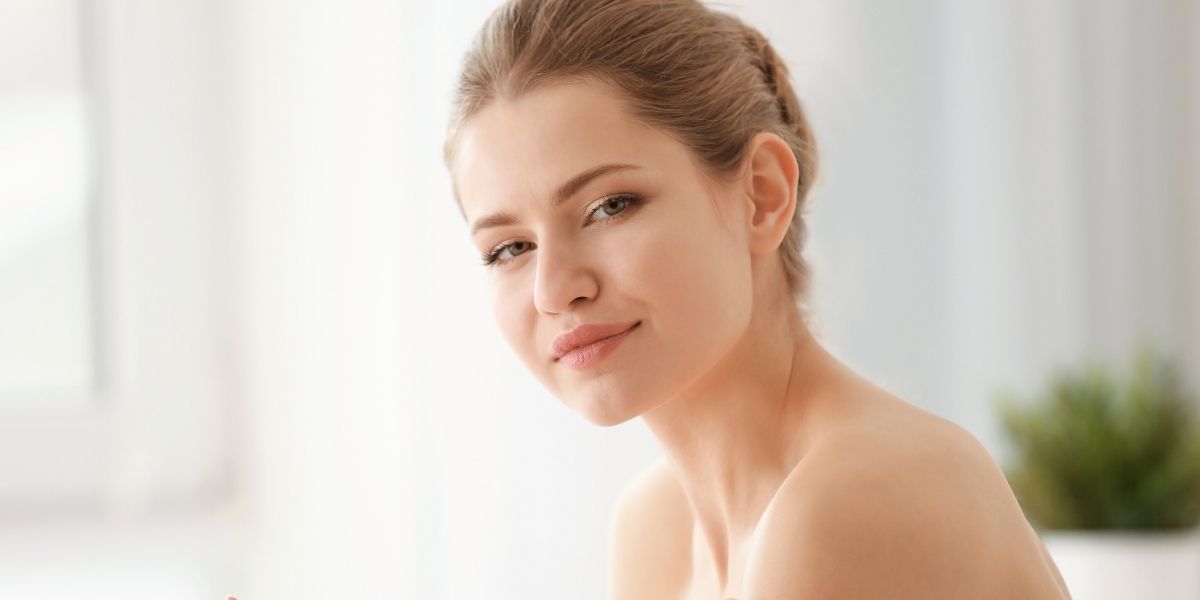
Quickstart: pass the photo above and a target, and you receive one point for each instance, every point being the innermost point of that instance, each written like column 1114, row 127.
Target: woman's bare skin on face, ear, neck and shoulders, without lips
column 785, row 475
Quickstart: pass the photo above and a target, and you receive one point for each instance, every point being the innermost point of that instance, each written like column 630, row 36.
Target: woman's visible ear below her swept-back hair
column 771, row 178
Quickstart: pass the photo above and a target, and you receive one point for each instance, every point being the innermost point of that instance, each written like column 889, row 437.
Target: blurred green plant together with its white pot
column 1108, row 470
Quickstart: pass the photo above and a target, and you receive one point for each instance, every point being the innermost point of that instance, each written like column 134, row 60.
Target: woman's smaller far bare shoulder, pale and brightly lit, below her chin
column 651, row 537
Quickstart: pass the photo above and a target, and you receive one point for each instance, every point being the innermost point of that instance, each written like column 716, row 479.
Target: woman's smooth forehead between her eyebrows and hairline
column 520, row 151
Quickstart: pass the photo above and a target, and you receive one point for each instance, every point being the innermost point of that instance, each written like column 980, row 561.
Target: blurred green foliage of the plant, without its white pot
column 1094, row 453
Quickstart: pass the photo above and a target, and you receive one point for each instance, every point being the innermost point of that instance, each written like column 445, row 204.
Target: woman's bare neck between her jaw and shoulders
column 736, row 435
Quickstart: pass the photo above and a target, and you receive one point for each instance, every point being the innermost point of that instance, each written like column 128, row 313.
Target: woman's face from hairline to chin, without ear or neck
column 652, row 245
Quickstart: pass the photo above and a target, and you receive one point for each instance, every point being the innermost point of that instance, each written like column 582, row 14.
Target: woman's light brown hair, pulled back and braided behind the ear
column 705, row 77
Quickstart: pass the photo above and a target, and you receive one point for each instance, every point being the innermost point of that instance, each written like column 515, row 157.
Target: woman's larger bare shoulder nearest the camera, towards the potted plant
column 902, row 505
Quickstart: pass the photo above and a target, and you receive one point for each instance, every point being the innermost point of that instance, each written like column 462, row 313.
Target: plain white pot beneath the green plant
column 1130, row 566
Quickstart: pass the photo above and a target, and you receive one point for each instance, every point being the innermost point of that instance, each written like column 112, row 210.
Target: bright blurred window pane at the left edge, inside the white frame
column 46, row 208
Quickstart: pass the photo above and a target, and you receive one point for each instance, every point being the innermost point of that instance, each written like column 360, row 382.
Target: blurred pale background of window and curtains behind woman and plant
column 245, row 344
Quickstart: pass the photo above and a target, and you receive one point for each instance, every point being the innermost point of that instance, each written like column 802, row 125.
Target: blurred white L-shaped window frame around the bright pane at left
column 158, row 423
